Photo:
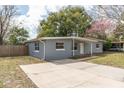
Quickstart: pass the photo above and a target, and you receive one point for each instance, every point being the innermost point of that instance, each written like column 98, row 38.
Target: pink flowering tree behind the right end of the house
column 100, row 29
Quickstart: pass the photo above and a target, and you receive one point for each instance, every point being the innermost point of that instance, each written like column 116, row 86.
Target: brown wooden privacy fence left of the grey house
column 13, row 50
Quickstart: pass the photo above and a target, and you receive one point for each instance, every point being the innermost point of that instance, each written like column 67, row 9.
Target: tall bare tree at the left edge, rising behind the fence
column 7, row 12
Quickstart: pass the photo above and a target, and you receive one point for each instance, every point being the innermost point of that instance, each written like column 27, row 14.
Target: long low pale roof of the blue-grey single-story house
column 76, row 38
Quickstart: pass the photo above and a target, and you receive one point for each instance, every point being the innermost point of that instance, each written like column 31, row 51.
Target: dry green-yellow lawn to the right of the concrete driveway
column 108, row 58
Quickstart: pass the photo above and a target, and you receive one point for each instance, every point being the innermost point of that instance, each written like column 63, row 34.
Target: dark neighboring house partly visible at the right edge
column 117, row 46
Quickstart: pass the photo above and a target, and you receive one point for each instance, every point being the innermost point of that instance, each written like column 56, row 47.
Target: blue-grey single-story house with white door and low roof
column 50, row 48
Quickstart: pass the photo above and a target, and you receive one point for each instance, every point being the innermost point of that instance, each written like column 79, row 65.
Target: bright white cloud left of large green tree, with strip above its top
column 31, row 20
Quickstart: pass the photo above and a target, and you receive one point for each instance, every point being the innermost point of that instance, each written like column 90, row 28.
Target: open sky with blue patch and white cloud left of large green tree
column 32, row 14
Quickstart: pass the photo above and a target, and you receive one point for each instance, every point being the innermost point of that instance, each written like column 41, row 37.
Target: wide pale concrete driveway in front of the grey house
column 73, row 74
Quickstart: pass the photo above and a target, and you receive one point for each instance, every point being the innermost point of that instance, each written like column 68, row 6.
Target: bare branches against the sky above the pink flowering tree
column 107, row 11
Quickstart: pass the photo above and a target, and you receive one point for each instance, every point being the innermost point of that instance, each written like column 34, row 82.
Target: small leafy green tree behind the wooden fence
column 18, row 35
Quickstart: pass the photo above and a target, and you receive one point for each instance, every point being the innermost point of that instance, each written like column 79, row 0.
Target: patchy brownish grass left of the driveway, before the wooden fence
column 11, row 75
